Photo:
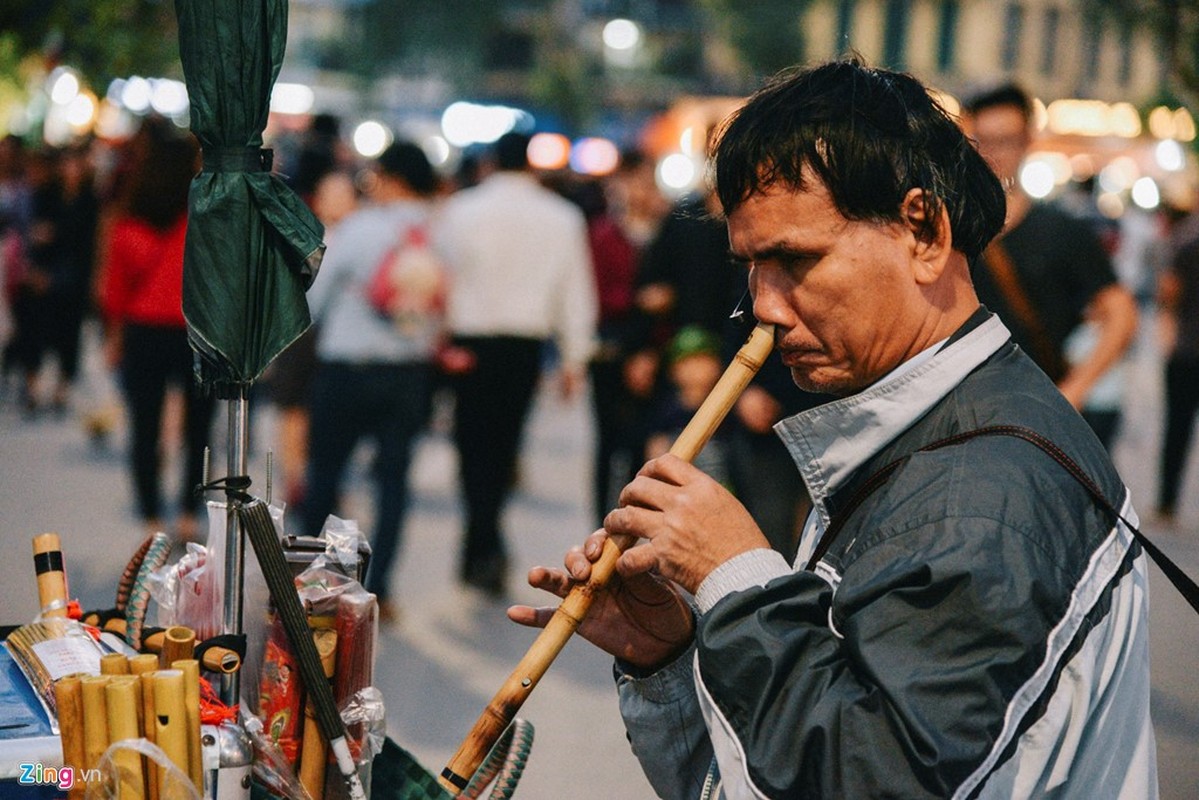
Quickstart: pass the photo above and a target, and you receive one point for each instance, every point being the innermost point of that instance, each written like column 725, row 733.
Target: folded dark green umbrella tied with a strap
column 254, row 248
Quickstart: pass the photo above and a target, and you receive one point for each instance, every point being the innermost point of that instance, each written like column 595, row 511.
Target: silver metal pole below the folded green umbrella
column 236, row 537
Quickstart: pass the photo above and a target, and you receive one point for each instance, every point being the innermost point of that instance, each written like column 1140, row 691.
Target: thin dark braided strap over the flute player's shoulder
column 1178, row 578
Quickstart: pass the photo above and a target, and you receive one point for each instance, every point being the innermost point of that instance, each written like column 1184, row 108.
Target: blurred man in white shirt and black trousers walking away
column 521, row 278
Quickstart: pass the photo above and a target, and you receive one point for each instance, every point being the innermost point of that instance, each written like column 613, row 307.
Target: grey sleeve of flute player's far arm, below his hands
column 666, row 727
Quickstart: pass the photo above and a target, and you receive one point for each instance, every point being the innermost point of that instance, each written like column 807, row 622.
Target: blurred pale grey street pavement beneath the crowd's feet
column 454, row 648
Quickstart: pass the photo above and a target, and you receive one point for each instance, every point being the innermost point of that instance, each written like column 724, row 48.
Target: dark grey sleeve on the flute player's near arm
column 896, row 688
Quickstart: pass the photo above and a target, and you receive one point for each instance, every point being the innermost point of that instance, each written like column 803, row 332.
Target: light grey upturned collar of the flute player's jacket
column 830, row 442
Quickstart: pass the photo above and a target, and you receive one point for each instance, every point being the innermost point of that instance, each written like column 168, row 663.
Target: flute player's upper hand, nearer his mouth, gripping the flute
column 691, row 522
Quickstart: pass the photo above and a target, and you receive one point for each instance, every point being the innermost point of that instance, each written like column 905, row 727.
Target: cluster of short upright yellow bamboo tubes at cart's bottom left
column 134, row 697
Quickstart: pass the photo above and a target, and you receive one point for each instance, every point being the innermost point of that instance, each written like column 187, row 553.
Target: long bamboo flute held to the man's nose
column 508, row 701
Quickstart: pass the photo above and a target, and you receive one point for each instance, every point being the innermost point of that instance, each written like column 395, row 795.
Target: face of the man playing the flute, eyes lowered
column 840, row 293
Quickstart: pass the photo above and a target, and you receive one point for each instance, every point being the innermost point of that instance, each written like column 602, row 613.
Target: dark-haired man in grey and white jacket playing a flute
column 972, row 623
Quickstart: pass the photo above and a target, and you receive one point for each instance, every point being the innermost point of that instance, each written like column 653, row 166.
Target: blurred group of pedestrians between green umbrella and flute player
column 497, row 278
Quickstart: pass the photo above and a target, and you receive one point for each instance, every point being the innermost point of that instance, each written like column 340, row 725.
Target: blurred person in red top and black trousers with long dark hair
column 141, row 288
